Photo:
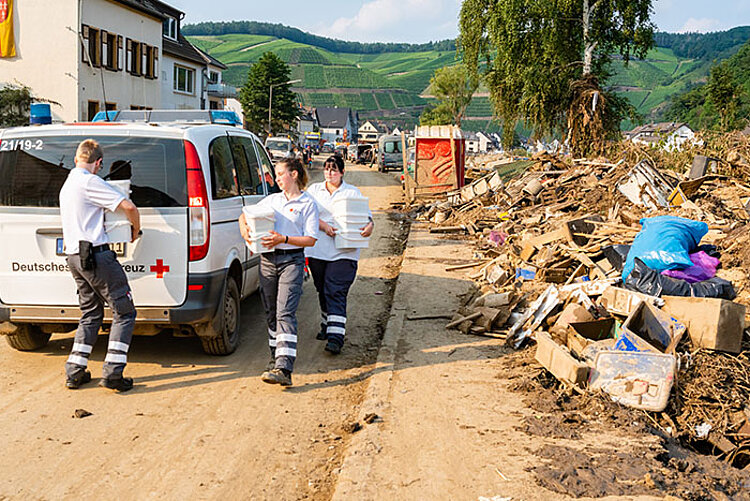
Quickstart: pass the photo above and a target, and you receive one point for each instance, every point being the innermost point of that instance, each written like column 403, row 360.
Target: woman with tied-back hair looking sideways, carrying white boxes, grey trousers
column 283, row 224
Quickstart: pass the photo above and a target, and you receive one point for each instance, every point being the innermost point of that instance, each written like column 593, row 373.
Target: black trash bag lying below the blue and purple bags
column 644, row 279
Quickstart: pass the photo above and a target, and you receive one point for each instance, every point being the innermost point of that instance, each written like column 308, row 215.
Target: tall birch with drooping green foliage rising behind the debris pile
column 544, row 60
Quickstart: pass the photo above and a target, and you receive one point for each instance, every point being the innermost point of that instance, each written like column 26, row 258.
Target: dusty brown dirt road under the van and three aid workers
column 195, row 426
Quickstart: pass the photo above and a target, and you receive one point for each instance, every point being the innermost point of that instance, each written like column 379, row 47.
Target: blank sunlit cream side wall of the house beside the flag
column 45, row 53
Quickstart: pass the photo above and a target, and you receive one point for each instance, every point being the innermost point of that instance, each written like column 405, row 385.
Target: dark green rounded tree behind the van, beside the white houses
column 269, row 71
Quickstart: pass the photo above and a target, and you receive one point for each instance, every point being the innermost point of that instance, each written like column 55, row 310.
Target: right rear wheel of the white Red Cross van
column 221, row 335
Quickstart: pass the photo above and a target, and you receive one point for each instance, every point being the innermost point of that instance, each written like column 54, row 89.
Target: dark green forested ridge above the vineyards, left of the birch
column 209, row 28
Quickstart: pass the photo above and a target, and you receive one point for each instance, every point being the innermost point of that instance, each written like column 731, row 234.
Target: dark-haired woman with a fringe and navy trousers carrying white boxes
column 346, row 225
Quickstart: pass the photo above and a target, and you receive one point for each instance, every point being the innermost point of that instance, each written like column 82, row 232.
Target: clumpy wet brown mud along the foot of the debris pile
column 645, row 460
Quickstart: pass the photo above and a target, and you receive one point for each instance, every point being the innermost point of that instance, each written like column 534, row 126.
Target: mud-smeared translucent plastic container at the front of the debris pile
column 642, row 380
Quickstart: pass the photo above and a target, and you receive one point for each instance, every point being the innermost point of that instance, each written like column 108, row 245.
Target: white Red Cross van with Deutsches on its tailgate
column 190, row 269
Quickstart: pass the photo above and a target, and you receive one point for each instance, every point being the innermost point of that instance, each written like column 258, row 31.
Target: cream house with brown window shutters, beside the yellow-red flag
column 87, row 55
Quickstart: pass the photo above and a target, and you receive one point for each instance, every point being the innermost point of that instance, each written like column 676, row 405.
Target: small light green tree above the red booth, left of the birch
column 453, row 87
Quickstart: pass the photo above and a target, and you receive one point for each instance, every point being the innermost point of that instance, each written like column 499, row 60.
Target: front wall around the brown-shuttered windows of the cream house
column 122, row 88
